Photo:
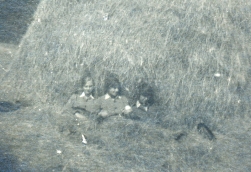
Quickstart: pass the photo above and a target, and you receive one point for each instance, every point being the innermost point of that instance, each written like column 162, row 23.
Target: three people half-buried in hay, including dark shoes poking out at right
column 113, row 103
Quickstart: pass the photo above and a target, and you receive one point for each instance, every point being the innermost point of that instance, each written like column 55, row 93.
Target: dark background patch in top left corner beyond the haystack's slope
column 15, row 17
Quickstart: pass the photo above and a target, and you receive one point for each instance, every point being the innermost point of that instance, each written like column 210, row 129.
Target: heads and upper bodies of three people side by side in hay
column 112, row 102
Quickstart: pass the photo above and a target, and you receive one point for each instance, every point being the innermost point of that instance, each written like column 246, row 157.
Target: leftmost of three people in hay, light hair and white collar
column 85, row 101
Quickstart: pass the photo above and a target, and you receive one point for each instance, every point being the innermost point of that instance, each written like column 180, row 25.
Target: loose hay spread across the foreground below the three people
column 32, row 137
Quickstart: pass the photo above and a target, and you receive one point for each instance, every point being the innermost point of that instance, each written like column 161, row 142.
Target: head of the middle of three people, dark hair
column 112, row 86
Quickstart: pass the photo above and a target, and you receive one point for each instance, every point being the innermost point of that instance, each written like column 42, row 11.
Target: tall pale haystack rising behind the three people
column 195, row 54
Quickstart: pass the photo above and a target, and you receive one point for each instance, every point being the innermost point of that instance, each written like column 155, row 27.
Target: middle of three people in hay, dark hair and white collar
column 112, row 103
